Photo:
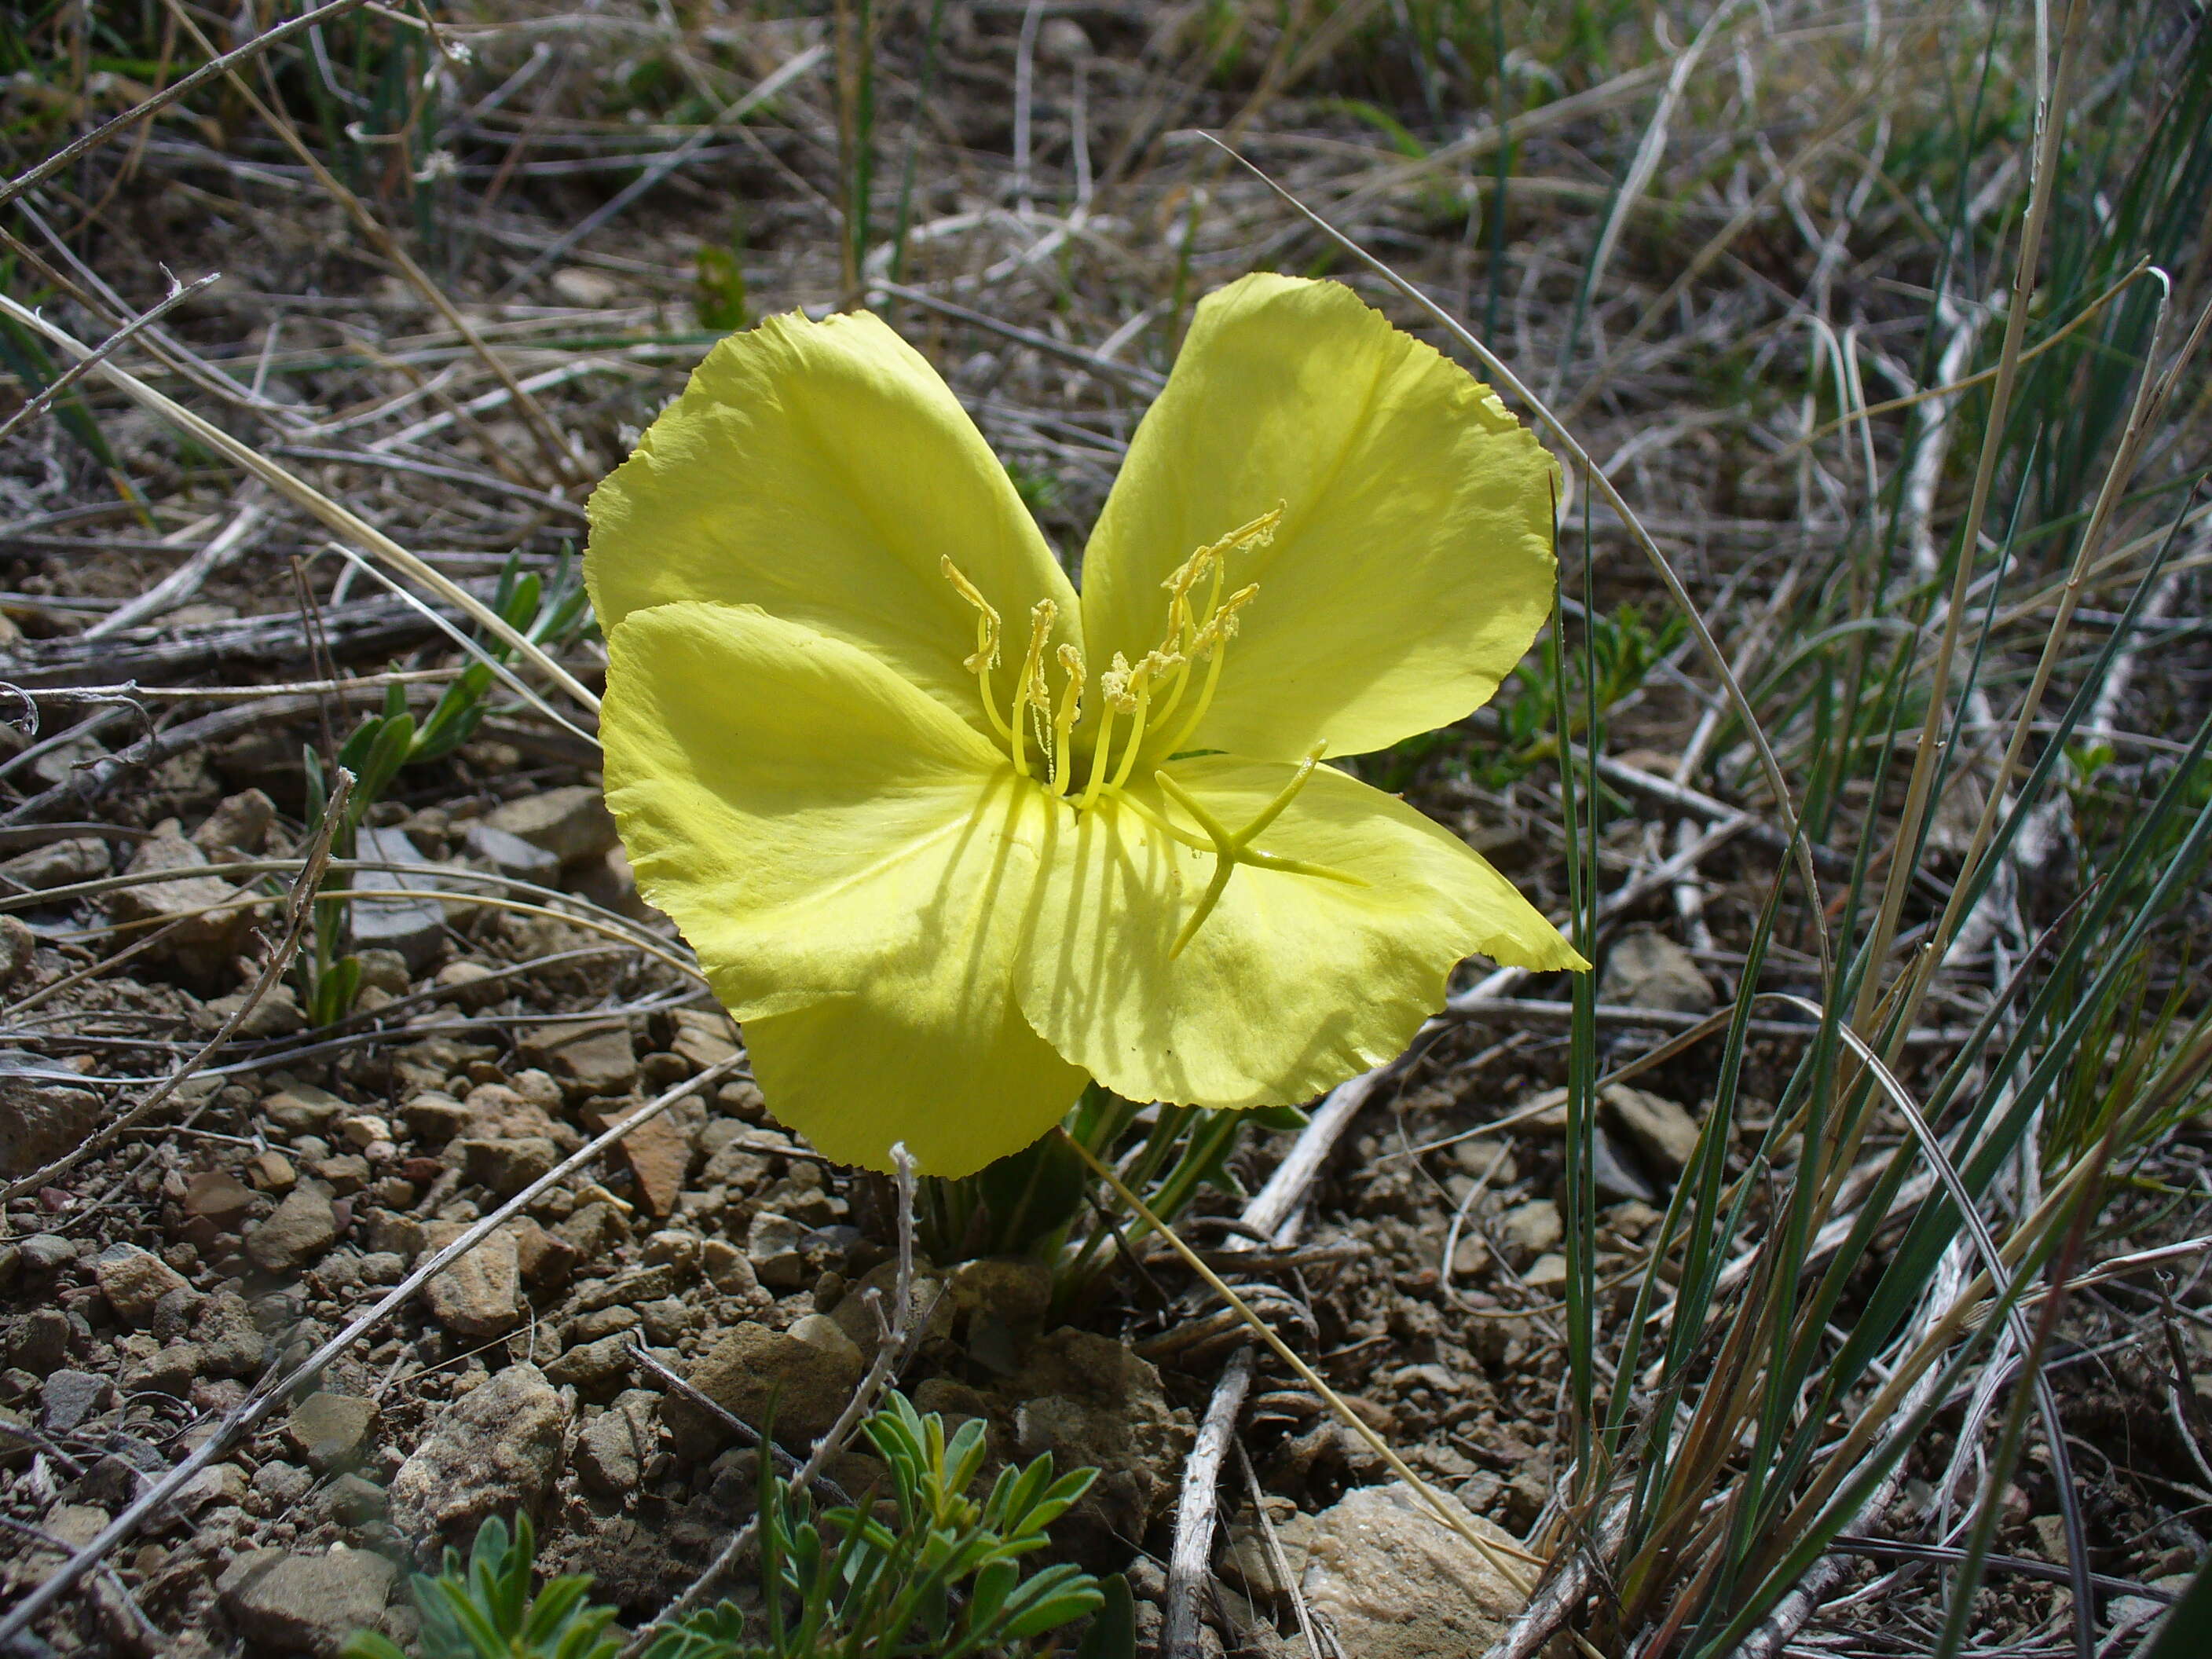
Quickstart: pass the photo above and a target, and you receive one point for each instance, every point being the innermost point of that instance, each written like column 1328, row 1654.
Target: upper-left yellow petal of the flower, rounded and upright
column 822, row 472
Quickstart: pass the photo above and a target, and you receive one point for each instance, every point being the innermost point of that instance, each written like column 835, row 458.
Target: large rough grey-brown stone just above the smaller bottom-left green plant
column 490, row 1452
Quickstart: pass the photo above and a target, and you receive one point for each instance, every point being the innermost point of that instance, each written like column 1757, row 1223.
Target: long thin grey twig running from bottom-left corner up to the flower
column 275, row 1390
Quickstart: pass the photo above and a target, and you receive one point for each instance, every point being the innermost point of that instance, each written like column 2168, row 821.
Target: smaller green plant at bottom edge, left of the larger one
column 488, row 1611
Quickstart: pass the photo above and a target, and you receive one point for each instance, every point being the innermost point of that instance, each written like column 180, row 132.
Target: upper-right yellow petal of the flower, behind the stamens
column 1412, row 565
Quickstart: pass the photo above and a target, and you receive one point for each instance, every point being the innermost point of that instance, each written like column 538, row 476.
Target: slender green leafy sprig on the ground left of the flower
column 386, row 742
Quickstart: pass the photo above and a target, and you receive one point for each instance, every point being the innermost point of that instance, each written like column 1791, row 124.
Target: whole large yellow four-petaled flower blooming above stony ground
column 950, row 837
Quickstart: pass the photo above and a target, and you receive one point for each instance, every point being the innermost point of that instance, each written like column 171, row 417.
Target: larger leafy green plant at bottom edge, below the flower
column 939, row 1580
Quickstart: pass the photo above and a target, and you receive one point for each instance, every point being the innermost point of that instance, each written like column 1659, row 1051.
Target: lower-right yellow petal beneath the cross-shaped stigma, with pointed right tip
column 1293, row 983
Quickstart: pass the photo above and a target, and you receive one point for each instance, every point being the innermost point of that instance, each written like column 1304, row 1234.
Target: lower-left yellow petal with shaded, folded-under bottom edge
column 853, row 866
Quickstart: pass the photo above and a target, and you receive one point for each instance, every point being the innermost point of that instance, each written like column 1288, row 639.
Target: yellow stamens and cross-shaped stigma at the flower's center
column 1151, row 696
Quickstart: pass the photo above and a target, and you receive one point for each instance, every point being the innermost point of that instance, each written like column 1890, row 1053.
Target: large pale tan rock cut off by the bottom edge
column 1399, row 1585
